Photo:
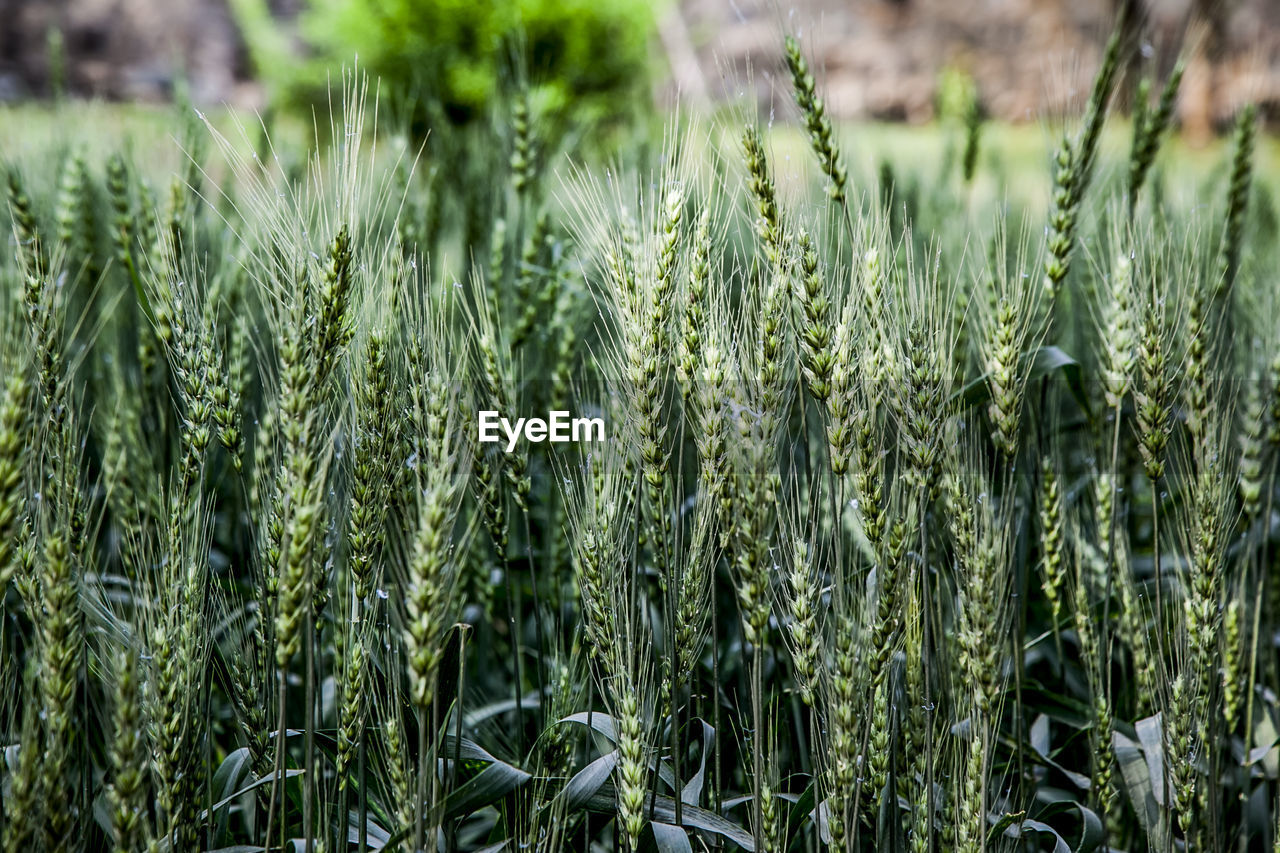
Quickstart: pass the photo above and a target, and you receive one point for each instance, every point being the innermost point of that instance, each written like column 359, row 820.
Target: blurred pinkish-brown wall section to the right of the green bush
column 1030, row 58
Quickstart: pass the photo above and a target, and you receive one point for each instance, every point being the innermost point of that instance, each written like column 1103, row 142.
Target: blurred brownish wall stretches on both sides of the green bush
column 876, row 58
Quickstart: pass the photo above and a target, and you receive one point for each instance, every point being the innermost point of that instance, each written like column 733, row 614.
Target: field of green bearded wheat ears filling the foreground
column 924, row 518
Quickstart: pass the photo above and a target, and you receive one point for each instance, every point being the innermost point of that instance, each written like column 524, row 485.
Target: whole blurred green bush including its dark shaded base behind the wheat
column 465, row 79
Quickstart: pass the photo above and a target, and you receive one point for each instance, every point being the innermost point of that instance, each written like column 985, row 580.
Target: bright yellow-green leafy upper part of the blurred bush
column 454, row 60
